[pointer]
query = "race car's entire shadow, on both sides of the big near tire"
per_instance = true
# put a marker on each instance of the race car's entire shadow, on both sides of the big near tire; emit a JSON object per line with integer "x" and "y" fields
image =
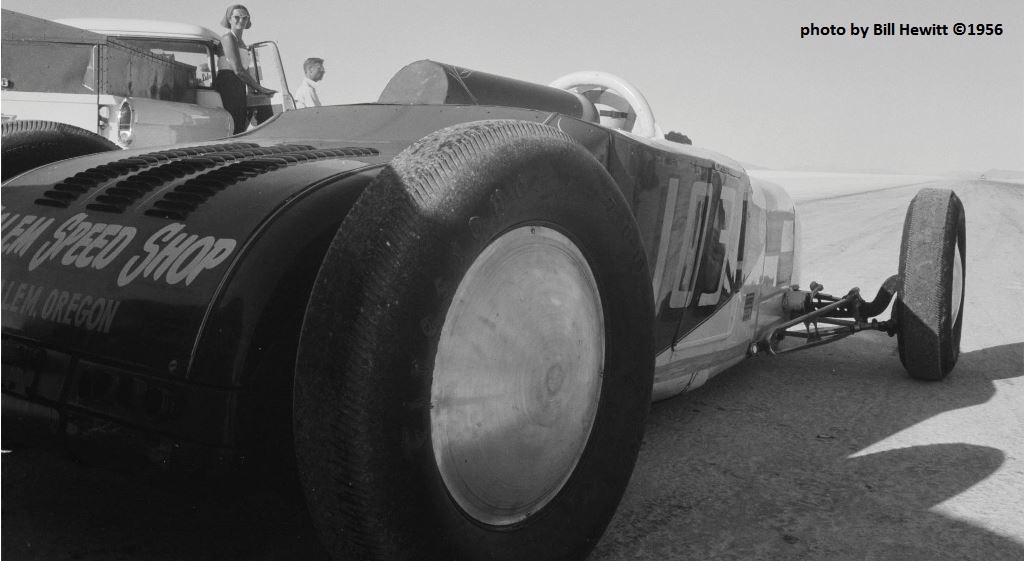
{"x": 757, "y": 465}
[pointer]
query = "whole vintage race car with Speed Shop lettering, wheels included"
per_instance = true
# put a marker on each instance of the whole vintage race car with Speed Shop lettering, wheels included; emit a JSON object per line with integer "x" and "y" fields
{"x": 457, "y": 303}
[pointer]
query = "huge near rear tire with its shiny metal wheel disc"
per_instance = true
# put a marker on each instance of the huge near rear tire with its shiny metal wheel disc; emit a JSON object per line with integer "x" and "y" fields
{"x": 477, "y": 360}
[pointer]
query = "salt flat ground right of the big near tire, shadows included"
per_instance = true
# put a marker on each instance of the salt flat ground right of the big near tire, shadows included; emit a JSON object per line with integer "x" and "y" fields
{"x": 834, "y": 453}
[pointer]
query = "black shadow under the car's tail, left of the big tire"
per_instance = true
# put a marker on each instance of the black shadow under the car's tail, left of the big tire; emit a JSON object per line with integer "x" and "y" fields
{"x": 59, "y": 506}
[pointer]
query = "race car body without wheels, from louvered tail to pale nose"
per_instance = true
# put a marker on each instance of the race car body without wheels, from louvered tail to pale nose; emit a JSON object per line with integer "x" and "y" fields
{"x": 153, "y": 288}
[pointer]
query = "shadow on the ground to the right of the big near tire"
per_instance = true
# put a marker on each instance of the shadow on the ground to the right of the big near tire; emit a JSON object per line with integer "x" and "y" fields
{"x": 762, "y": 463}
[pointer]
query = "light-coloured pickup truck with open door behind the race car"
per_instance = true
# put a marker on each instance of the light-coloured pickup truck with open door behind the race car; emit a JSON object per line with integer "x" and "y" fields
{"x": 79, "y": 87}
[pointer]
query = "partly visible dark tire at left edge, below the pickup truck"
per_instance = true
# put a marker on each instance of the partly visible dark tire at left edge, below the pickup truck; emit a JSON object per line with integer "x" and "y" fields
{"x": 29, "y": 145}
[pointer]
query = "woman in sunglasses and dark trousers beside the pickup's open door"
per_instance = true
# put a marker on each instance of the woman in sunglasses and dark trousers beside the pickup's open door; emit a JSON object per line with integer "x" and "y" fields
{"x": 236, "y": 68}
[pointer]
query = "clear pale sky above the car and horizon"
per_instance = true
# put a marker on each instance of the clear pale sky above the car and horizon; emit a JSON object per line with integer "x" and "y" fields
{"x": 734, "y": 75}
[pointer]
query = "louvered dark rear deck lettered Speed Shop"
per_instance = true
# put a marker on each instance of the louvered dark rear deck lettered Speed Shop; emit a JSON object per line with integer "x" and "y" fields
{"x": 121, "y": 255}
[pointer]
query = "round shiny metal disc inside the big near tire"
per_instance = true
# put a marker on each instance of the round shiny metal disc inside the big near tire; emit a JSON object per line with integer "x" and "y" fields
{"x": 518, "y": 376}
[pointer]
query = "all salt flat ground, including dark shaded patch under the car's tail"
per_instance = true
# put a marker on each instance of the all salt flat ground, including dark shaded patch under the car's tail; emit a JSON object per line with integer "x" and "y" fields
{"x": 833, "y": 454}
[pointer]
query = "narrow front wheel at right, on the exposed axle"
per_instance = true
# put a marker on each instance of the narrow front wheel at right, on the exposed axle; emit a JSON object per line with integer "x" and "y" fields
{"x": 929, "y": 307}
